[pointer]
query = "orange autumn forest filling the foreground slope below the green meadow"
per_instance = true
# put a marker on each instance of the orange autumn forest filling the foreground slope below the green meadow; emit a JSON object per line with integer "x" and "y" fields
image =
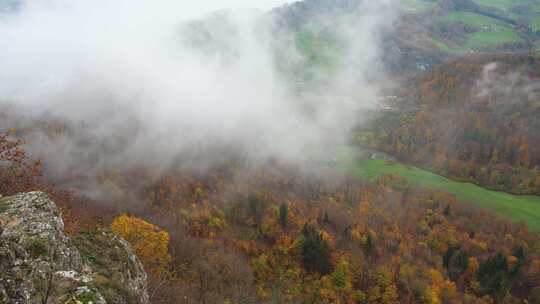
{"x": 275, "y": 233}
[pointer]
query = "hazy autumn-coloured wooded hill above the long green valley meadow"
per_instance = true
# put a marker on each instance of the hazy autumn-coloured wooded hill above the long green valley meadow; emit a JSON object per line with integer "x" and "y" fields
{"x": 475, "y": 119}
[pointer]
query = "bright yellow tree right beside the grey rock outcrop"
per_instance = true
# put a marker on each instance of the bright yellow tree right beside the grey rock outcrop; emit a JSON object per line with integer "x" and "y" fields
{"x": 149, "y": 242}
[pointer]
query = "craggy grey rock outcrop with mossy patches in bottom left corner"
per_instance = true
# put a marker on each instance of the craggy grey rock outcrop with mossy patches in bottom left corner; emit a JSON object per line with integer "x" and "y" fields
{"x": 40, "y": 264}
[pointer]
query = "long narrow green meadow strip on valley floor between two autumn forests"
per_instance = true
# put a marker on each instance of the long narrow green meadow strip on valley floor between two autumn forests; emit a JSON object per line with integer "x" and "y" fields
{"x": 514, "y": 207}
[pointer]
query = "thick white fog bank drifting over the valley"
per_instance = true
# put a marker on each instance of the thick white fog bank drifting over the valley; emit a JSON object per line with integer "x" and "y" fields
{"x": 125, "y": 67}
